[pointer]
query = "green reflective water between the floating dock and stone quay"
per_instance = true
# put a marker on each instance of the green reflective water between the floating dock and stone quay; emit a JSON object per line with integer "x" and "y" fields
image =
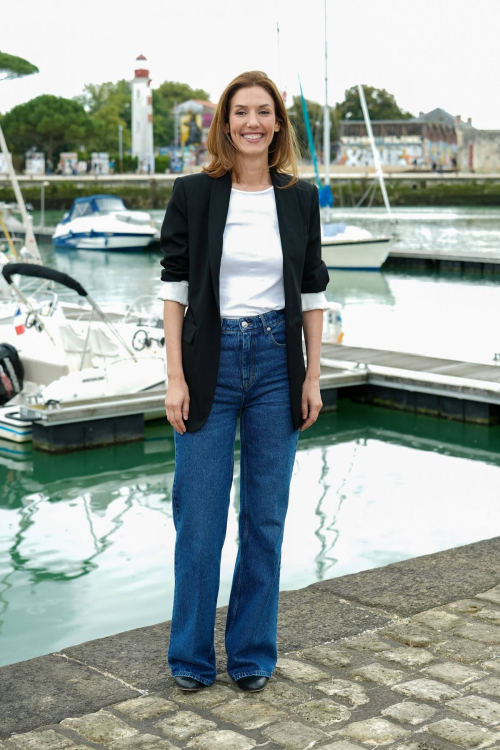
{"x": 86, "y": 540}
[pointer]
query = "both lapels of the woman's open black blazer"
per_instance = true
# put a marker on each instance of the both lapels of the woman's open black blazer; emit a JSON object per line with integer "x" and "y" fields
{"x": 289, "y": 221}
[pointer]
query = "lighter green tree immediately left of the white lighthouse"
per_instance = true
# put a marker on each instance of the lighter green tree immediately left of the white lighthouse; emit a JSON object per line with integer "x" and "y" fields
{"x": 109, "y": 106}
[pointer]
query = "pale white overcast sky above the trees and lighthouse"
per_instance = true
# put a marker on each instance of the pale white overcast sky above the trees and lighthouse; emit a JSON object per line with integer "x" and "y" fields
{"x": 430, "y": 53}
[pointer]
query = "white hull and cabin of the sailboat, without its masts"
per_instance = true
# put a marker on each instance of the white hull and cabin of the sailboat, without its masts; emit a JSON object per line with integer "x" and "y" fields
{"x": 352, "y": 248}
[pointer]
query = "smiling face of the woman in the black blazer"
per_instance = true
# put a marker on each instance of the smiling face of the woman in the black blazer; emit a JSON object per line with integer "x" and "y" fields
{"x": 252, "y": 120}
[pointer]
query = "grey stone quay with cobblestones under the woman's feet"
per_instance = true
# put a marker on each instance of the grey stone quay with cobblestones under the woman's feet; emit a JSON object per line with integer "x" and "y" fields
{"x": 405, "y": 656}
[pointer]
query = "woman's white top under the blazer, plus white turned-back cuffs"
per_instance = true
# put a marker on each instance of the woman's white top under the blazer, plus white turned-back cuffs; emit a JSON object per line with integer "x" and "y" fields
{"x": 251, "y": 269}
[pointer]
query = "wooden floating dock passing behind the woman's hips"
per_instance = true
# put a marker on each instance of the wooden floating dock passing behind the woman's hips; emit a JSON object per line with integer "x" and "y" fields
{"x": 451, "y": 389}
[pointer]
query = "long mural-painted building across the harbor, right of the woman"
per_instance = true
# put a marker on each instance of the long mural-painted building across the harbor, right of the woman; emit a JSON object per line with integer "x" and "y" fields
{"x": 428, "y": 141}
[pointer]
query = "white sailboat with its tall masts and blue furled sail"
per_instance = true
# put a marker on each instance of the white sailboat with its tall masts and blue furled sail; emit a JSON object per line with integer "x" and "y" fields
{"x": 345, "y": 246}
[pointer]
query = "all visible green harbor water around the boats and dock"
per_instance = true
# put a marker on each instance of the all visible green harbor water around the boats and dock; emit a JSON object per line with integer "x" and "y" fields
{"x": 87, "y": 539}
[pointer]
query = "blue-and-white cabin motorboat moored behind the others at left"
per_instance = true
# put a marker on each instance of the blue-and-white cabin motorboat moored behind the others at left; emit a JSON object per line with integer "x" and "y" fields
{"x": 103, "y": 222}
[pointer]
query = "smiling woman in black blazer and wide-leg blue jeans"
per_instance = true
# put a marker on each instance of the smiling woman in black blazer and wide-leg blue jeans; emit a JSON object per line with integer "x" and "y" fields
{"x": 242, "y": 249}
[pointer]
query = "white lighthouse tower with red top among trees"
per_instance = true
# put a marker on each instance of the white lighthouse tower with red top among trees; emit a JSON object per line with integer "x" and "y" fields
{"x": 142, "y": 117}
